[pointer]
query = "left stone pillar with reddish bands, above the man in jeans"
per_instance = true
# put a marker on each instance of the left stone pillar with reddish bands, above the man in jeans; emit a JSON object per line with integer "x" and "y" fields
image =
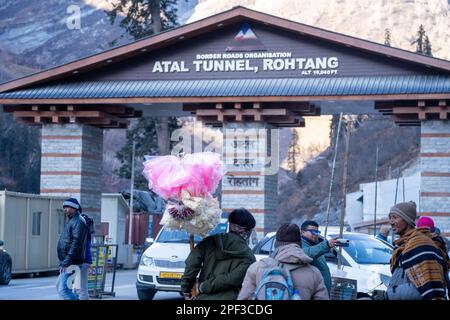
{"x": 71, "y": 165}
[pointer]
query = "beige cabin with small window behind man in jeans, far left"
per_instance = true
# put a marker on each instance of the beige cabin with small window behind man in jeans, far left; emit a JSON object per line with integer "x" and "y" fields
{"x": 30, "y": 226}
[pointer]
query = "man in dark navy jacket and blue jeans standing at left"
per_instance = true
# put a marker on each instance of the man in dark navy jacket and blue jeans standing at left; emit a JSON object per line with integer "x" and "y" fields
{"x": 71, "y": 247}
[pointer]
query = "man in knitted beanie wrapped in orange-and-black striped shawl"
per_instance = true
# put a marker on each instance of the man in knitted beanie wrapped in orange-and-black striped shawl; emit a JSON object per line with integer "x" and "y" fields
{"x": 418, "y": 264}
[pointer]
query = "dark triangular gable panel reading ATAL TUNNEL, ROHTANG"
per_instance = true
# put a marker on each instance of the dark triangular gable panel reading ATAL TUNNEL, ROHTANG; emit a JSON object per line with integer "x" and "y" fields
{"x": 252, "y": 50}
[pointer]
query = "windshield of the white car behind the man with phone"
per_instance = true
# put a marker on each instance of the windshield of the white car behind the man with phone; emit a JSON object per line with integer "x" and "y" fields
{"x": 366, "y": 250}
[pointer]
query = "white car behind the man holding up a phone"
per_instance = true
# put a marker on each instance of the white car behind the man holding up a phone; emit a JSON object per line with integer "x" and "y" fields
{"x": 365, "y": 260}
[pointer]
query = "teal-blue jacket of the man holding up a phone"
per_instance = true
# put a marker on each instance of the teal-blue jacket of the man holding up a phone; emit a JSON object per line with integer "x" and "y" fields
{"x": 317, "y": 253}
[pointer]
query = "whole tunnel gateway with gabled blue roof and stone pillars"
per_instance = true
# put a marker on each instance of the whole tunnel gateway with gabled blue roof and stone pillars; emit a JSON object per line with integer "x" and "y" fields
{"x": 248, "y": 73}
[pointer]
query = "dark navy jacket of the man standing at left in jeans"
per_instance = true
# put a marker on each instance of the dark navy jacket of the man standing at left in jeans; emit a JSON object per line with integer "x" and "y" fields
{"x": 72, "y": 242}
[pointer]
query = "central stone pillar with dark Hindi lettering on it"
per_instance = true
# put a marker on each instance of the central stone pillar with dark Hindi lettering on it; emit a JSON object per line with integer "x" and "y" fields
{"x": 251, "y": 181}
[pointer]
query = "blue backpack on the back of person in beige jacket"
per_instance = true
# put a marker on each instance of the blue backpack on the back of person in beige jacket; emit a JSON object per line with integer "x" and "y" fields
{"x": 275, "y": 284}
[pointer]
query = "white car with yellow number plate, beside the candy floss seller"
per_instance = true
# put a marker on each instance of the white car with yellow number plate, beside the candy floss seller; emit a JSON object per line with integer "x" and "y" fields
{"x": 162, "y": 264}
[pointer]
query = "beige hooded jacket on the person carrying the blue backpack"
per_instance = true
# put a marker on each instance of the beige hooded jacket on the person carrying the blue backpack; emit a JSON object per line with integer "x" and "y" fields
{"x": 306, "y": 278}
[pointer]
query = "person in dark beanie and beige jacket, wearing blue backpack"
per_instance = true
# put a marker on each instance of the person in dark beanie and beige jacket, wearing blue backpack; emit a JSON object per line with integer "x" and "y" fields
{"x": 288, "y": 254}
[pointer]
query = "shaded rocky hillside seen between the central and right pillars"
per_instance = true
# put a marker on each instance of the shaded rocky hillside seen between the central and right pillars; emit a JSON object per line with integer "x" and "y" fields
{"x": 307, "y": 194}
